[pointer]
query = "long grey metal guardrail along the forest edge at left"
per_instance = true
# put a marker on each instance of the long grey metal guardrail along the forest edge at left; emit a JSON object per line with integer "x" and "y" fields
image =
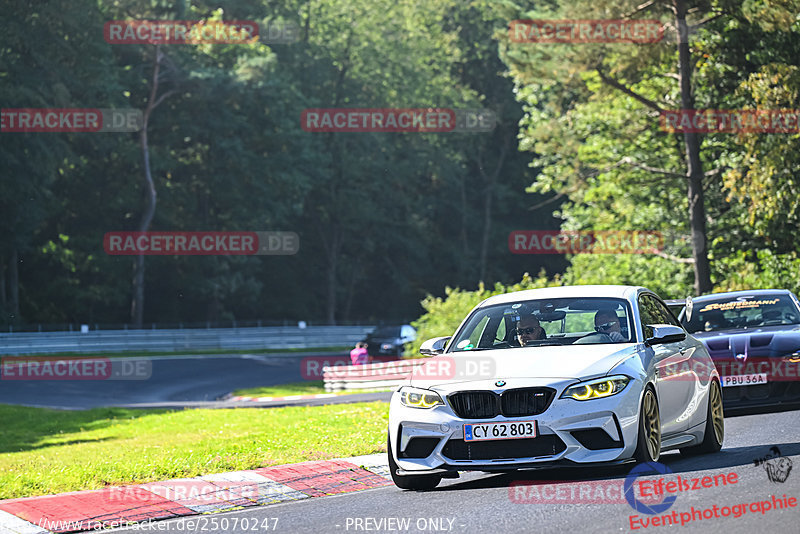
{"x": 286, "y": 337}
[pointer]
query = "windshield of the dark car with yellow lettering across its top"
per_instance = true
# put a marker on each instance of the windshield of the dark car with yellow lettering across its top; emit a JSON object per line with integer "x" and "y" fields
{"x": 741, "y": 312}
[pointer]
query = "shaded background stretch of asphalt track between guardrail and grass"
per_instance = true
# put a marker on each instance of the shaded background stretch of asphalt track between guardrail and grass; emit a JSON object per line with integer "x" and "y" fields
{"x": 175, "y": 381}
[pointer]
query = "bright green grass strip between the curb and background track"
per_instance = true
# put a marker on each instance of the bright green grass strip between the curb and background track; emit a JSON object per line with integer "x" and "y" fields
{"x": 46, "y": 451}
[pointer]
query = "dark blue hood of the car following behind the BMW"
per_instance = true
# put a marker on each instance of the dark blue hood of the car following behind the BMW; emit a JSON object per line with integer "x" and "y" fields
{"x": 762, "y": 342}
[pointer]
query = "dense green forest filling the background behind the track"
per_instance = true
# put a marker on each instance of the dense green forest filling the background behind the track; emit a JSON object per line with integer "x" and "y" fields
{"x": 386, "y": 218}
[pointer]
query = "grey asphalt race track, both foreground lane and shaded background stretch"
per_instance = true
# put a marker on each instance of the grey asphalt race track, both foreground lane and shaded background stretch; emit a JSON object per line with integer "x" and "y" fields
{"x": 477, "y": 502}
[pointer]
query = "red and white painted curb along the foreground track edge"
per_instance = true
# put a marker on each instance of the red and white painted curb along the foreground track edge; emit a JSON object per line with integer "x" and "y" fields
{"x": 118, "y": 506}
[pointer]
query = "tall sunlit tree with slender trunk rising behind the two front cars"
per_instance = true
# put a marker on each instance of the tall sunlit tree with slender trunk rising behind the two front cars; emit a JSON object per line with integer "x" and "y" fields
{"x": 566, "y": 86}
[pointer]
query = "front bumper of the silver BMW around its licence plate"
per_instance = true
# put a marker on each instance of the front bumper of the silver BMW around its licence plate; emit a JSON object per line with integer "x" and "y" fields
{"x": 570, "y": 432}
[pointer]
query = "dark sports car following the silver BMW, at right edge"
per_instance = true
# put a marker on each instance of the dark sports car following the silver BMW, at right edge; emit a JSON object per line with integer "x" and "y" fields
{"x": 754, "y": 339}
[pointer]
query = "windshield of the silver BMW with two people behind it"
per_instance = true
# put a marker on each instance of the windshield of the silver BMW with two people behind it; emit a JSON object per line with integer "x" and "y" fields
{"x": 534, "y": 323}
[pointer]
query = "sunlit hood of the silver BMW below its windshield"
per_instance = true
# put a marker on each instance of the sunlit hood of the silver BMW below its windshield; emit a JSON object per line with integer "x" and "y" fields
{"x": 558, "y": 363}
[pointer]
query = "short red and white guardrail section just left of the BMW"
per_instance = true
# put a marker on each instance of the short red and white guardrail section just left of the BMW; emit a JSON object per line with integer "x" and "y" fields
{"x": 369, "y": 376}
